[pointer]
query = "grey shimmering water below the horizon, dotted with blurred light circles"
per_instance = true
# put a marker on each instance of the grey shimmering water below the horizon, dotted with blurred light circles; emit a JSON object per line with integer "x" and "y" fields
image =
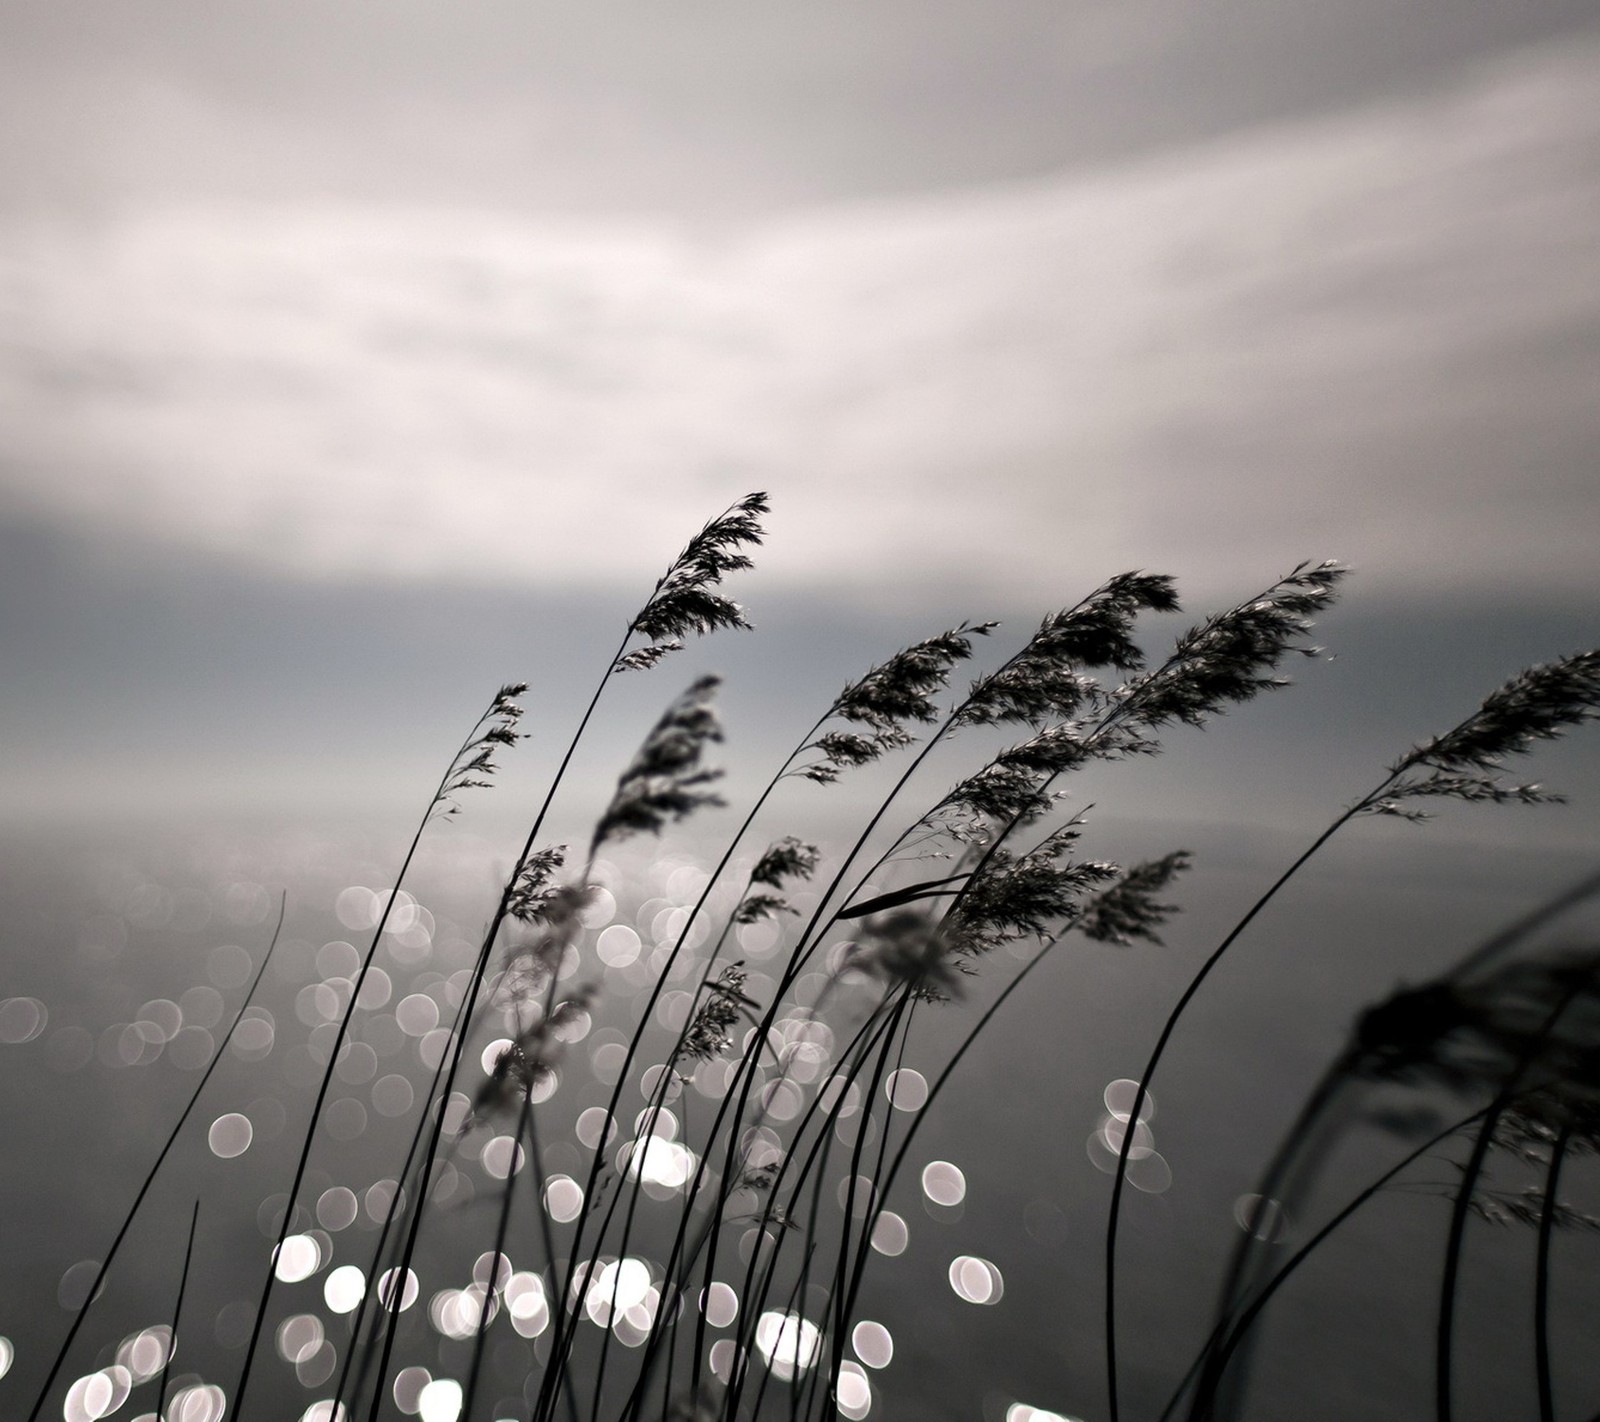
{"x": 127, "y": 954}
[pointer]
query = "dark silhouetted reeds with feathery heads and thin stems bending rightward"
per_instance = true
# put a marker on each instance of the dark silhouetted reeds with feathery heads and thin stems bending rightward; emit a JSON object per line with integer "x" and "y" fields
{"x": 718, "y": 1274}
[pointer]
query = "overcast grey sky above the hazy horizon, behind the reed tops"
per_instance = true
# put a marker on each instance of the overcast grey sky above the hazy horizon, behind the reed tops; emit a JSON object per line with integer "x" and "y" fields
{"x": 354, "y": 354}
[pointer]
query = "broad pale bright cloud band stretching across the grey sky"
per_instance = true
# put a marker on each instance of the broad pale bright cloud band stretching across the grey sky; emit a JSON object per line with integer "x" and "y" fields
{"x": 1370, "y": 337}
